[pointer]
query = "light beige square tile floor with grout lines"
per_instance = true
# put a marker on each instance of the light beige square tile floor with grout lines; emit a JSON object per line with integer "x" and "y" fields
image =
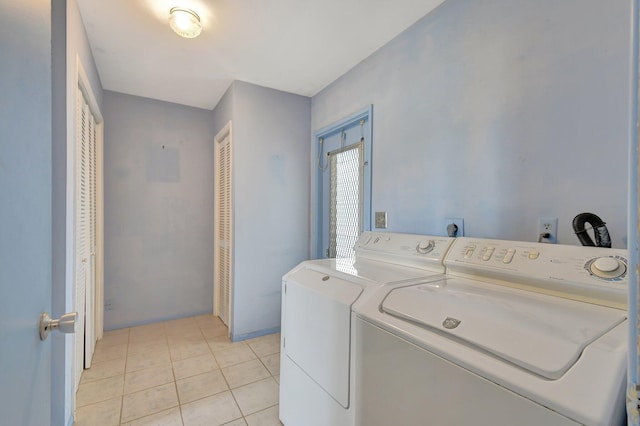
{"x": 184, "y": 372}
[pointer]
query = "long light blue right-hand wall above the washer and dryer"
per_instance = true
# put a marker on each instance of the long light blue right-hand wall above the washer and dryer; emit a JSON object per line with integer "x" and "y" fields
{"x": 498, "y": 112}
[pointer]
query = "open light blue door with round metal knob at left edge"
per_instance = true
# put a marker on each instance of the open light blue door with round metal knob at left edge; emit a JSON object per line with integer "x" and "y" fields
{"x": 25, "y": 211}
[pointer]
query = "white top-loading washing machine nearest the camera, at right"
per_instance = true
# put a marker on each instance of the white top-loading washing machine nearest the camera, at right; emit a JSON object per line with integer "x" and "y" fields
{"x": 516, "y": 333}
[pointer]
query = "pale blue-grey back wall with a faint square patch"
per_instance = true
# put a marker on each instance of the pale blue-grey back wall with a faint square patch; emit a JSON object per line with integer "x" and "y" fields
{"x": 158, "y": 200}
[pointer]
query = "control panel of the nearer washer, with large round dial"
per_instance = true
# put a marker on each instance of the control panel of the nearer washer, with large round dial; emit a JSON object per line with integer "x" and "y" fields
{"x": 594, "y": 274}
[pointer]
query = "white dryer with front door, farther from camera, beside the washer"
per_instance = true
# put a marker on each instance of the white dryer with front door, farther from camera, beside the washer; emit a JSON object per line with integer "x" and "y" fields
{"x": 317, "y": 296}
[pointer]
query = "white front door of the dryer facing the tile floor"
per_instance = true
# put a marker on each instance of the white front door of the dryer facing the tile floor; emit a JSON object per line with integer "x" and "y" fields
{"x": 317, "y": 328}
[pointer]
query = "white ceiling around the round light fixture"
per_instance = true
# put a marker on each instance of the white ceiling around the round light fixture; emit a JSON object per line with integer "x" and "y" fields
{"x": 298, "y": 46}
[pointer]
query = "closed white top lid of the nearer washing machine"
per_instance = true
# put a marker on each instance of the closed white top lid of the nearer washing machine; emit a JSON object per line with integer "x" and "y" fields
{"x": 540, "y": 333}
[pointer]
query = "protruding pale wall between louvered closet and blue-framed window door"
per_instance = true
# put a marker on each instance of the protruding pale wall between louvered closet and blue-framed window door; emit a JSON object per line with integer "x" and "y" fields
{"x": 271, "y": 137}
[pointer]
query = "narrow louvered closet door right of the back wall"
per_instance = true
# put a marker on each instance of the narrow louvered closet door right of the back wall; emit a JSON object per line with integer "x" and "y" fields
{"x": 223, "y": 264}
